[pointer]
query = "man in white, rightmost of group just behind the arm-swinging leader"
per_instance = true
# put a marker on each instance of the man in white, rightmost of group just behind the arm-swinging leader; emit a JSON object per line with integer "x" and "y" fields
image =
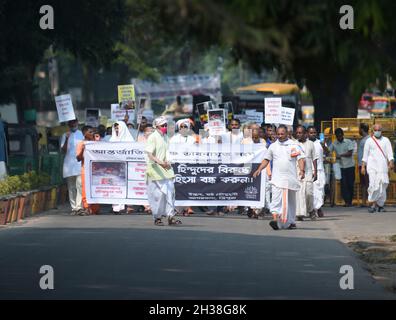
{"x": 320, "y": 183}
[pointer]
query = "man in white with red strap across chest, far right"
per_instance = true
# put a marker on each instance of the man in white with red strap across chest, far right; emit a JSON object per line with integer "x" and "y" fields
{"x": 377, "y": 161}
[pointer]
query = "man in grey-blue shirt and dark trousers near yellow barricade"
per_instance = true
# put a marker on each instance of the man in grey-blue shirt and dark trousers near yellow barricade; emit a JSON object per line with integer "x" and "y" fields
{"x": 344, "y": 155}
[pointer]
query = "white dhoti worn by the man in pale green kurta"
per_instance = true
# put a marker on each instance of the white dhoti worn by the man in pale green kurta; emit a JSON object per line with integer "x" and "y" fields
{"x": 161, "y": 197}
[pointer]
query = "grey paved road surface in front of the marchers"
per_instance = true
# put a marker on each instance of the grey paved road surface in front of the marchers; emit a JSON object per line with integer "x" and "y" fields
{"x": 231, "y": 257}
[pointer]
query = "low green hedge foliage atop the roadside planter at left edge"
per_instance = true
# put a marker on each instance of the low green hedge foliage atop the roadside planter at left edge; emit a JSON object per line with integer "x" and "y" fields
{"x": 28, "y": 181}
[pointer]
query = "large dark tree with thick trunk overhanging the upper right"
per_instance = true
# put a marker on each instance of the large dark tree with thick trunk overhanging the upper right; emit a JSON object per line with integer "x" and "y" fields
{"x": 302, "y": 39}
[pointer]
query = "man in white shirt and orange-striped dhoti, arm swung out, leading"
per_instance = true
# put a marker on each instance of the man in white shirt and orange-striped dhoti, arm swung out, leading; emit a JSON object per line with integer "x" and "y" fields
{"x": 285, "y": 154}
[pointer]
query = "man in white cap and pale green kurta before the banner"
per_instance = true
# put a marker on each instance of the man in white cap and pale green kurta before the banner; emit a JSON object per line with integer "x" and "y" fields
{"x": 160, "y": 175}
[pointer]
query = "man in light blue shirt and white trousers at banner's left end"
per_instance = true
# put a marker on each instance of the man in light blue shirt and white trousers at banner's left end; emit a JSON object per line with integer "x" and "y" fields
{"x": 72, "y": 167}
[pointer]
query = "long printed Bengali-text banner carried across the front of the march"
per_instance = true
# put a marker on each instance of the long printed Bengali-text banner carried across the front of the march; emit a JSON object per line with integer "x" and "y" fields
{"x": 208, "y": 174}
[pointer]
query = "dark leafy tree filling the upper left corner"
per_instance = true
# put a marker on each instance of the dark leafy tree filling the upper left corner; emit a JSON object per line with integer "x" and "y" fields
{"x": 88, "y": 29}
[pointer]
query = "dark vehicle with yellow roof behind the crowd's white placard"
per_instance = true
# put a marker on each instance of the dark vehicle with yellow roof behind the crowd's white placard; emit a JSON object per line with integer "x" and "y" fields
{"x": 252, "y": 97}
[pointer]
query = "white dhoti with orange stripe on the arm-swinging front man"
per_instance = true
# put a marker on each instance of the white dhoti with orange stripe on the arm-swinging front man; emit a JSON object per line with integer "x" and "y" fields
{"x": 283, "y": 205}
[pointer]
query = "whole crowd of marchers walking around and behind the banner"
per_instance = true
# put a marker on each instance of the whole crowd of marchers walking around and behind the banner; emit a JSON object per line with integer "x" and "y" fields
{"x": 293, "y": 167}
